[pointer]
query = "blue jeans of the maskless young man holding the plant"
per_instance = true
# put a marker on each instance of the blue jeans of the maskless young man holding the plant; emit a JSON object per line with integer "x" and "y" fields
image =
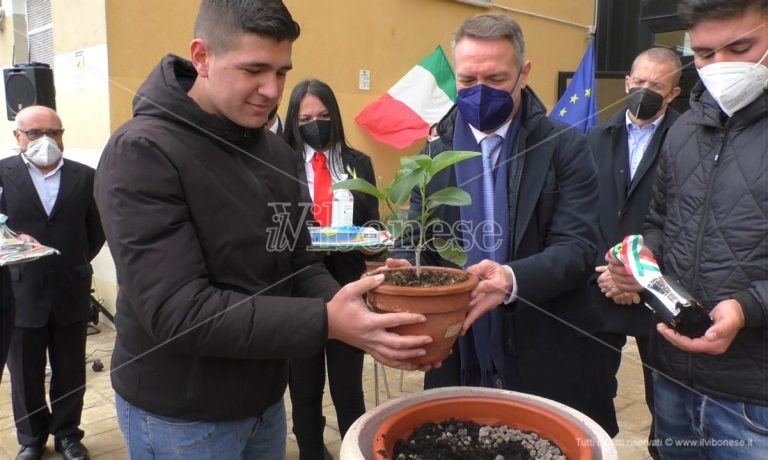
{"x": 149, "y": 436}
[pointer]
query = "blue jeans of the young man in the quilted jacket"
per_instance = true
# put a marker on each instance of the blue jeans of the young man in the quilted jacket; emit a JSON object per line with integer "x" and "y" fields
{"x": 694, "y": 426}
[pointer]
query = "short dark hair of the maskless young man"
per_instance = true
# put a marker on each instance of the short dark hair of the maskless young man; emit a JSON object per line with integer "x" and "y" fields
{"x": 219, "y": 22}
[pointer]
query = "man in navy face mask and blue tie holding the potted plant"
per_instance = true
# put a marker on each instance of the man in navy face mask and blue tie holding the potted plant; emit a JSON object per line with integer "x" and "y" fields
{"x": 529, "y": 235}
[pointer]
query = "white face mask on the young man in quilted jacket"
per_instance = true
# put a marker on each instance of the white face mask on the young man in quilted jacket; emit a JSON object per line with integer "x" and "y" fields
{"x": 734, "y": 85}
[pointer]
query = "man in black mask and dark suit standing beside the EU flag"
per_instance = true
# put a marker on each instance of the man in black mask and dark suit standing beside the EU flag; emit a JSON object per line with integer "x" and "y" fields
{"x": 626, "y": 149}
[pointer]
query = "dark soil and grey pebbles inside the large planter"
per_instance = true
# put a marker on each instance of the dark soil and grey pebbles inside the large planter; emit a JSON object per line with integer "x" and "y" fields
{"x": 456, "y": 439}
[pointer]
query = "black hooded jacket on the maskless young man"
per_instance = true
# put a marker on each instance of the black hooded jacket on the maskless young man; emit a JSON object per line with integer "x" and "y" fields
{"x": 217, "y": 289}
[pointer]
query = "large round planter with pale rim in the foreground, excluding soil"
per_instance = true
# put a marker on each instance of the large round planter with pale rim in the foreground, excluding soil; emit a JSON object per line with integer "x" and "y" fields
{"x": 373, "y": 435}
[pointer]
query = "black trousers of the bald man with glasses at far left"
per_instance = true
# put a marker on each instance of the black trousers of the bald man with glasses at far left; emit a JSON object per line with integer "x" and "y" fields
{"x": 65, "y": 346}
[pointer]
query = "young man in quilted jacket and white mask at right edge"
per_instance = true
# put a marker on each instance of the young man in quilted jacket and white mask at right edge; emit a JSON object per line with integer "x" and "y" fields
{"x": 707, "y": 228}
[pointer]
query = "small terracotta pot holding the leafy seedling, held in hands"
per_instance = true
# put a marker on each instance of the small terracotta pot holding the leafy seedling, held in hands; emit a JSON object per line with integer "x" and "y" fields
{"x": 444, "y": 307}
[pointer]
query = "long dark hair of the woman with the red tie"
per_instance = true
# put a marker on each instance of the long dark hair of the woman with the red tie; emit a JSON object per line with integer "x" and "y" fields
{"x": 292, "y": 134}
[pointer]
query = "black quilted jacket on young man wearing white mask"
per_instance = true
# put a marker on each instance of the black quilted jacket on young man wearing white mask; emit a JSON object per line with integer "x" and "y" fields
{"x": 708, "y": 225}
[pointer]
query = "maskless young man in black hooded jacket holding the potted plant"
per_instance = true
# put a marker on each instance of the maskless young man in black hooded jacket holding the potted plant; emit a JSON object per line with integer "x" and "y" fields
{"x": 215, "y": 294}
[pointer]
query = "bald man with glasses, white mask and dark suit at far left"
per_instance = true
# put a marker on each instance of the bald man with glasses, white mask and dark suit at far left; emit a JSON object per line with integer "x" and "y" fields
{"x": 51, "y": 199}
